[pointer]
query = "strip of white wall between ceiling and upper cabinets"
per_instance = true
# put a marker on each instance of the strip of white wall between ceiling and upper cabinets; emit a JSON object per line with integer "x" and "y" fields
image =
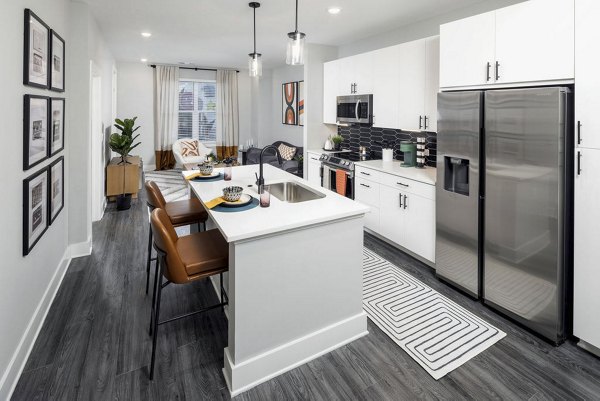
{"x": 419, "y": 29}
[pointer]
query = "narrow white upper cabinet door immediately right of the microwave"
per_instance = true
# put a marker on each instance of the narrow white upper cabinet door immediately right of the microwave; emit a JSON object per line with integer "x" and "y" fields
{"x": 386, "y": 81}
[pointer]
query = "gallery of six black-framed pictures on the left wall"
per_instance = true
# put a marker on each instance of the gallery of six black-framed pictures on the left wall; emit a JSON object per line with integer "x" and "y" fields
{"x": 43, "y": 128}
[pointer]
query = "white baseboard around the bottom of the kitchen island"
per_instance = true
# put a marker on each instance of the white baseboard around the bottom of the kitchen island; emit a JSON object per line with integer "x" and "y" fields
{"x": 263, "y": 367}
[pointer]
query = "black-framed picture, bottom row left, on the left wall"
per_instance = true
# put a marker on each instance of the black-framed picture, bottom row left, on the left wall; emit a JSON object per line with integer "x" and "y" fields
{"x": 35, "y": 209}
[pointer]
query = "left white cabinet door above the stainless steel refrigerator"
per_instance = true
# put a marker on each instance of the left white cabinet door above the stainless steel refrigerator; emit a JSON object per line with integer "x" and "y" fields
{"x": 467, "y": 51}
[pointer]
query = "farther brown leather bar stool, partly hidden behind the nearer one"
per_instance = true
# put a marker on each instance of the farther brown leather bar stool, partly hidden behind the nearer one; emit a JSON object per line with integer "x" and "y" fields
{"x": 181, "y": 213}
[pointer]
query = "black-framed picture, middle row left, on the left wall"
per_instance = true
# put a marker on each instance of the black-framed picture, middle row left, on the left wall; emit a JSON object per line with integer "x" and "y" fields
{"x": 35, "y": 130}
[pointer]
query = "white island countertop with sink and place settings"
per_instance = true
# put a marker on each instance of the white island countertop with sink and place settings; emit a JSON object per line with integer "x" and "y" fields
{"x": 279, "y": 216}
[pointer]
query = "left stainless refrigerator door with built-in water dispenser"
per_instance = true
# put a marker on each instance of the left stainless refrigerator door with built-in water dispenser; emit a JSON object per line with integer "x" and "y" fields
{"x": 457, "y": 189}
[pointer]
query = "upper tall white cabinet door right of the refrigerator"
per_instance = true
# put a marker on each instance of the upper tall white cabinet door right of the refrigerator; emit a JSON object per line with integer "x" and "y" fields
{"x": 587, "y": 79}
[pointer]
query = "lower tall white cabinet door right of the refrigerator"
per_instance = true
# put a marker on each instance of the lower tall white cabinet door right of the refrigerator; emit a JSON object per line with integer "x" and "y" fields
{"x": 586, "y": 320}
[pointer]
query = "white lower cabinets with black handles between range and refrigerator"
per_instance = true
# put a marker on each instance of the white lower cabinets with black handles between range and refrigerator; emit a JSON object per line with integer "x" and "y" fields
{"x": 402, "y": 210}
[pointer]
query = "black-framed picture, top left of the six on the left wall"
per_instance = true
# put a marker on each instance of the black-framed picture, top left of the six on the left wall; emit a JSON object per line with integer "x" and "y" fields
{"x": 35, "y": 61}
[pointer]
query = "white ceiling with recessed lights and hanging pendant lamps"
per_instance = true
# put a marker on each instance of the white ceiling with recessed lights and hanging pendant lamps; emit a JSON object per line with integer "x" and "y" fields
{"x": 218, "y": 33}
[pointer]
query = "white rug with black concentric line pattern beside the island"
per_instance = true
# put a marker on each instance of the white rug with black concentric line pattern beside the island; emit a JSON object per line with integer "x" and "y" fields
{"x": 436, "y": 332}
